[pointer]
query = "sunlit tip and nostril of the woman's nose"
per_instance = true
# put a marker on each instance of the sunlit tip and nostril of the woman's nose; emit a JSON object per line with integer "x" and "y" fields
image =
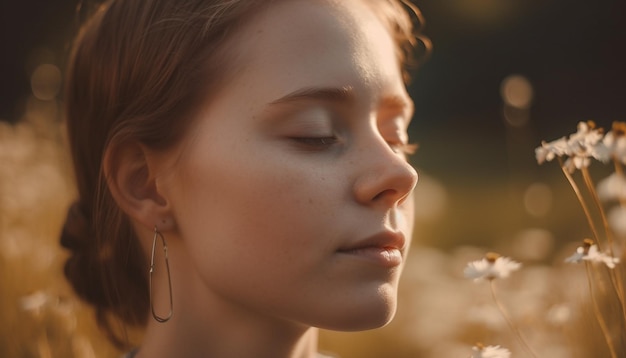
{"x": 386, "y": 179}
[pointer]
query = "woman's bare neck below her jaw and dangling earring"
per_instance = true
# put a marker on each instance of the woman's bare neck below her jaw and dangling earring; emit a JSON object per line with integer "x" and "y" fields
{"x": 207, "y": 325}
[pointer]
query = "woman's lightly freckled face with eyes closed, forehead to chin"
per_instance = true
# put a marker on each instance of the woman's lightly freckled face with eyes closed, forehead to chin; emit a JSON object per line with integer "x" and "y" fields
{"x": 292, "y": 195}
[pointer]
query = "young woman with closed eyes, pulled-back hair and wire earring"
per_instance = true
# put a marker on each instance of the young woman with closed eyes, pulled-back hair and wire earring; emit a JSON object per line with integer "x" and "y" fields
{"x": 241, "y": 171}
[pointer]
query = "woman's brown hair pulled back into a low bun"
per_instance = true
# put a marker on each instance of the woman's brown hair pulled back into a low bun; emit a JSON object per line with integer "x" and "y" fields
{"x": 139, "y": 71}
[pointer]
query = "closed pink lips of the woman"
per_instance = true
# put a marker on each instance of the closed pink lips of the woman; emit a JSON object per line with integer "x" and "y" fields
{"x": 384, "y": 249}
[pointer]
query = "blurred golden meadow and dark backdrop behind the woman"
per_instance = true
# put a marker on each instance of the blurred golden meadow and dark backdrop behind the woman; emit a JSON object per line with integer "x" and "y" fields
{"x": 503, "y": 76}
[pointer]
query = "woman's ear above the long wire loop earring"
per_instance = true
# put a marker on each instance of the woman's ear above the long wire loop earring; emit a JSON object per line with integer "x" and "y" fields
{"x": 132, "y": 179}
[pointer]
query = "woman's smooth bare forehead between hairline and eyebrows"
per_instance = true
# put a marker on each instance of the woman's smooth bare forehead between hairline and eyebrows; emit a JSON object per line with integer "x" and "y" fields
{"x": 298, "y": 43}
